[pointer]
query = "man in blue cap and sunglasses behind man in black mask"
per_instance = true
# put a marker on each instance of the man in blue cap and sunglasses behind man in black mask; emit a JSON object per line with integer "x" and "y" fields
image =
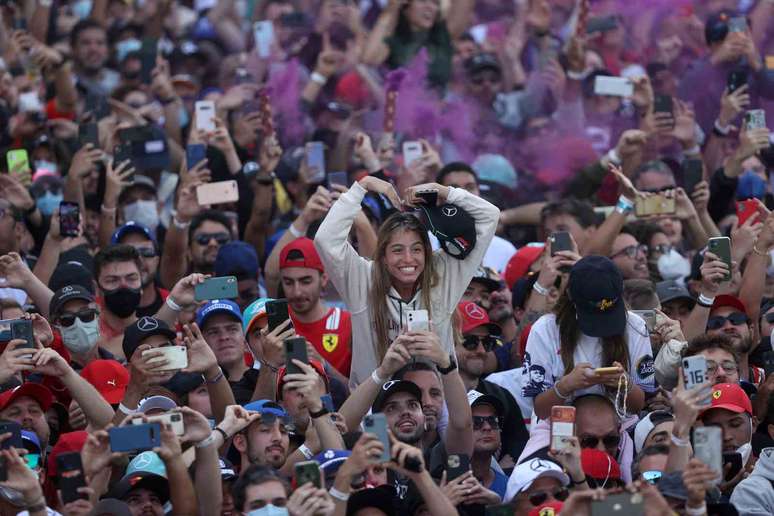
{"x": 138, "y": 236}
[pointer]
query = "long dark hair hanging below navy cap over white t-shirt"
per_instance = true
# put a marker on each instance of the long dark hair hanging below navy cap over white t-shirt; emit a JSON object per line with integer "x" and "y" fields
{"x": 614, "y": 349}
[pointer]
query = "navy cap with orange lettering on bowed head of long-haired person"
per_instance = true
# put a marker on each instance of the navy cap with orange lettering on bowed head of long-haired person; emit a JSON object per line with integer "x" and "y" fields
{"x": 596, "y": 288}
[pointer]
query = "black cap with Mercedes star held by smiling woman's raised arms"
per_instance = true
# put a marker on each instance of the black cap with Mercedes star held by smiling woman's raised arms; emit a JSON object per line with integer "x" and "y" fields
{"x": 454, "y": 228}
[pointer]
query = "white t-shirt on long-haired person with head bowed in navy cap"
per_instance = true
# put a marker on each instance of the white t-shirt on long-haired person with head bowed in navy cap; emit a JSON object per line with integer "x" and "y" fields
{"x": 543, "y": 363}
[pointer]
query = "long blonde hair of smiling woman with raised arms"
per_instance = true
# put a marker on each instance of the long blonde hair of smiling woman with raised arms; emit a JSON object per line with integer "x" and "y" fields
{"x": 381, "y": 281}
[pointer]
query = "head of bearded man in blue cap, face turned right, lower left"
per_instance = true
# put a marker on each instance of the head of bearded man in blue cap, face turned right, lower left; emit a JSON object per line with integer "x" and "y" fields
{"x": 265, "y": 441}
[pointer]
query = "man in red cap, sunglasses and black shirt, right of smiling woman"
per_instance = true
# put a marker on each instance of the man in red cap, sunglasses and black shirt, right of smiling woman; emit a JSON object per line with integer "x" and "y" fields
{"x": 480, "y": 336}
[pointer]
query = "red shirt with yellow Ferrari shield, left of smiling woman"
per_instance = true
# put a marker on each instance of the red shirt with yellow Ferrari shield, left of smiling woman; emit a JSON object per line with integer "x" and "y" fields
{"x": 331, "y": 336}
